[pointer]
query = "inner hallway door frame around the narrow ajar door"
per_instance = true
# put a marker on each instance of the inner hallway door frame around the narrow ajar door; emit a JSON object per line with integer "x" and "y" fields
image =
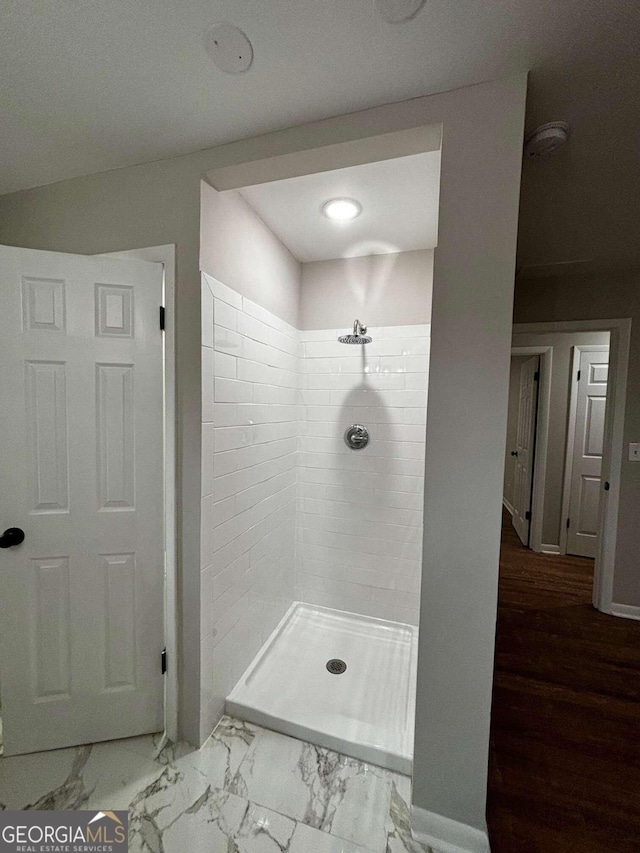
{"x": 541, "y": 441}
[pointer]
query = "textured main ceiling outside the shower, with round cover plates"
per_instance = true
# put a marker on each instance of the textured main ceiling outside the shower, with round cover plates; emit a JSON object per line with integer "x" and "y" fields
{"x": 89, "y": 85}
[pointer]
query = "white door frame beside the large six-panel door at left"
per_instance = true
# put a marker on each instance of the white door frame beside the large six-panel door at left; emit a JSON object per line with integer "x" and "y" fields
{"x": 166, "y": 255}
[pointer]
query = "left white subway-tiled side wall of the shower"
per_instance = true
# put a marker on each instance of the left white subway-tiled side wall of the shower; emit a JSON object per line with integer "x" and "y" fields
{"x": 250, "y": 363}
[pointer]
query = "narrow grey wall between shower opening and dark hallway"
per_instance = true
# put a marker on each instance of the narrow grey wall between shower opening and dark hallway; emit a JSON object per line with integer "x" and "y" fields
{"x": 466, "y": 432}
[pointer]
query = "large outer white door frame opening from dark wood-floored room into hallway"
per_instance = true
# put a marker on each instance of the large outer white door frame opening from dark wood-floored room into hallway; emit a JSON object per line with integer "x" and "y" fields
{"x": 620, "y": 332}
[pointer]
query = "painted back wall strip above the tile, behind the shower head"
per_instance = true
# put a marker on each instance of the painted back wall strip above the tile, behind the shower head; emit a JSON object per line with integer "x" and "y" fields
{"x": 381, "y": 290}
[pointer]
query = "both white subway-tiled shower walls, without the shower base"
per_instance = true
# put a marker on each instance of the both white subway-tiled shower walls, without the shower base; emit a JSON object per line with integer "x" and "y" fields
{"x": 288, "y": 511}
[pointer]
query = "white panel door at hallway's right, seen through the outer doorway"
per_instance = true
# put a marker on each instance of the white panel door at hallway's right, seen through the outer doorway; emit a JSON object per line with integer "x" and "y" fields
{"x": 586, "y": 468}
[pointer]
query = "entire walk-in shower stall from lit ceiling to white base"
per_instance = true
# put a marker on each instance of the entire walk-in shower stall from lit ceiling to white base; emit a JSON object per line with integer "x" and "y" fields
{"x": 313, "y": 443}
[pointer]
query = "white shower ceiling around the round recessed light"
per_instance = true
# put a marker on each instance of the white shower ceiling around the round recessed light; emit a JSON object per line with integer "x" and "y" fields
{"x": 399, "y": 201}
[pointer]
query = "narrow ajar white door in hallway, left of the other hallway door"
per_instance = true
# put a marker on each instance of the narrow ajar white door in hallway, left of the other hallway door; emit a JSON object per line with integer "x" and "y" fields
{"x": 524, "y": 449}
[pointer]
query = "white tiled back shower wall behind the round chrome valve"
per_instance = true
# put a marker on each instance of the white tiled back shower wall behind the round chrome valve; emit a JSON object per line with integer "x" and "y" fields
{"x": 360, "y": 512}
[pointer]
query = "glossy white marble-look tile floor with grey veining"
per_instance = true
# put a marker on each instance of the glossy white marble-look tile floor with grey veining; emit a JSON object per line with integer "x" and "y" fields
{"x": 248, "y": 790}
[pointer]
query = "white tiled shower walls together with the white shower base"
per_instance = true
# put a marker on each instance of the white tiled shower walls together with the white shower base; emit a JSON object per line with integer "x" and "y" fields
{"x": 330, "y": 569}
